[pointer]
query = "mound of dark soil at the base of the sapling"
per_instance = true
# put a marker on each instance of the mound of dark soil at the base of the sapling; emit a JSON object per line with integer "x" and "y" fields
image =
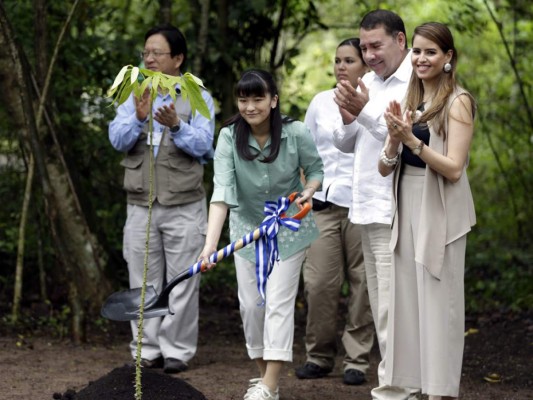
{"x": 119, "y": 385}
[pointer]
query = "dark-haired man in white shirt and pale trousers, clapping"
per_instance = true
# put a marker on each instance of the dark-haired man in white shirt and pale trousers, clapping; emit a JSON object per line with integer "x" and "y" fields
{"x": 363, "y": 132}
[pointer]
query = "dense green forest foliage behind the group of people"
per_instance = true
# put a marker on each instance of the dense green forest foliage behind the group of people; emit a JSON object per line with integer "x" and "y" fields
{"x": 107, "y": 34}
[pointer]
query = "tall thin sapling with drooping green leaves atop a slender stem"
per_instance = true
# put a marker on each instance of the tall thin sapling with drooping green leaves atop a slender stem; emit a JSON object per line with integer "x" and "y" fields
{"x": 137, "y": 80}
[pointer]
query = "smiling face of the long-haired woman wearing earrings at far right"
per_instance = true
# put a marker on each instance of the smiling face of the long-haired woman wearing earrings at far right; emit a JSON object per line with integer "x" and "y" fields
{"x": 428, "y": 59}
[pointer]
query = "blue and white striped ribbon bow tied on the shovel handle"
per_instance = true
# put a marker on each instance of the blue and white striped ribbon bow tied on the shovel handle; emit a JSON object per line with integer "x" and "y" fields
{"x": 266, "y": 247}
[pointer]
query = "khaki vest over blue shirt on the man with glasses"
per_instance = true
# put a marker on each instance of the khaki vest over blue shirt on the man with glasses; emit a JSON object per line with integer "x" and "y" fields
{"x": 177, "y": 176}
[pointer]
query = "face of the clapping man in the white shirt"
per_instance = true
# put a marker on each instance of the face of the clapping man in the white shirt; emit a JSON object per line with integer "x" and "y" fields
{"x": 382, "y": 52}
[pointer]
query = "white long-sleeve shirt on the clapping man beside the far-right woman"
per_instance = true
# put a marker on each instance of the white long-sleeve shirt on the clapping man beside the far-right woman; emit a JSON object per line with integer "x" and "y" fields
{"x": 371, "y": 192}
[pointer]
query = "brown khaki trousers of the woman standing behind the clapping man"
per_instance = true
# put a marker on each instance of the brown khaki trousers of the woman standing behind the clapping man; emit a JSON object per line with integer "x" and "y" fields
{"x": 334, "y": 258}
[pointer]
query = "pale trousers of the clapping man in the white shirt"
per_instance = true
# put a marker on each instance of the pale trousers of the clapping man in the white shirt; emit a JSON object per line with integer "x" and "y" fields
{"x": 375, "y": 240}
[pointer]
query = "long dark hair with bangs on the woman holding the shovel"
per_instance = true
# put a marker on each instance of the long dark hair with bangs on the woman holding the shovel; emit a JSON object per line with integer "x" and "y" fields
{"x": 257, "y": 82}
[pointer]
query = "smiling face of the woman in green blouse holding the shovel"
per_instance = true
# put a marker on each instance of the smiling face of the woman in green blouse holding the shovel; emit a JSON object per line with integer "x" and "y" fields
{"x": 256, "y": 111}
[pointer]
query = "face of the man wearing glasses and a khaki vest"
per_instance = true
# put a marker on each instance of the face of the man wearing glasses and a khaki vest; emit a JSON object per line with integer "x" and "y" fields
{"x": 158, "y": 58}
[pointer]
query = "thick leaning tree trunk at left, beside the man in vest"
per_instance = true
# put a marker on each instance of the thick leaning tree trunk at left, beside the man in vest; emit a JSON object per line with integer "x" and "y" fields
{"x": 81, "y": 260}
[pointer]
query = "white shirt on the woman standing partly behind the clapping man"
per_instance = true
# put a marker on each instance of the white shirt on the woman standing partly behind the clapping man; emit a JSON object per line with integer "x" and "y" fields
{"x": 321, "y": 118}
